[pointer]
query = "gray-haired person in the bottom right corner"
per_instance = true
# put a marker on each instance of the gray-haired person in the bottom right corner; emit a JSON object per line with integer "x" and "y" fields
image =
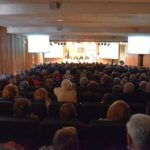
{"x": 138, "y": 132}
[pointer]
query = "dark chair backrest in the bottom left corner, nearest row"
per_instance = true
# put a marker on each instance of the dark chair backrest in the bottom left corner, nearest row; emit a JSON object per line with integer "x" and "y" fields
{"x": 23, "y": 131}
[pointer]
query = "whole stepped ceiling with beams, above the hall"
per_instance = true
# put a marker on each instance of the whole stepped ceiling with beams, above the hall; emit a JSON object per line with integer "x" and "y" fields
{"x": 77, "y": 20}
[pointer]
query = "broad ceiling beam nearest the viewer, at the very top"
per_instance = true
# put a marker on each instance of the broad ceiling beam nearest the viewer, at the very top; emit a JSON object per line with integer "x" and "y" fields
{"x": 78, "y": 7}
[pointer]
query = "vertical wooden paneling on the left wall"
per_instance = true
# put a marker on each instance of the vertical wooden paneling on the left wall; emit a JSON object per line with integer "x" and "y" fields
{"x": 13, "y": 53}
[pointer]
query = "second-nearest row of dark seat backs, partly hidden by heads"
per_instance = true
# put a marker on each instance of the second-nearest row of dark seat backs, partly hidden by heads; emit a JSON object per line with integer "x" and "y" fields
{"x": 86, "y": 111}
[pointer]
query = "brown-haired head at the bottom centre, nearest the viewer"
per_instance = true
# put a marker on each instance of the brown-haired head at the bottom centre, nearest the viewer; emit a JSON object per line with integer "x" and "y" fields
{"x": 65, "y": 139}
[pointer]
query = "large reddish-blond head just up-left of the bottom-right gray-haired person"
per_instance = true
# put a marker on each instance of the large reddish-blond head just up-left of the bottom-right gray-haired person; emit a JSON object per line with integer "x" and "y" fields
{"x": 118, "y": 111}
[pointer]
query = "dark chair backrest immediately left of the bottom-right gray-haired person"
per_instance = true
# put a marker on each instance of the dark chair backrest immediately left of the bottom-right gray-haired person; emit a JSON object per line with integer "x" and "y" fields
{"x": 105, "y": 134}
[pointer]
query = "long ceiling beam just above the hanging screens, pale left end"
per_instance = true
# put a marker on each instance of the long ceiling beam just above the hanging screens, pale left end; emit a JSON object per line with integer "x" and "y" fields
{"x": 81, "y": 30}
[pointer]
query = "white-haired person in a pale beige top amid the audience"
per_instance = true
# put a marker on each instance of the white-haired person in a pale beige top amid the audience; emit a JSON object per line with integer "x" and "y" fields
{"x": 66, "y": 93}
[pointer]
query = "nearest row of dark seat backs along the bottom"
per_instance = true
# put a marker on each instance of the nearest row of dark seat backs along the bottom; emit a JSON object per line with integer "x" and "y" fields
{"x": 104, "y": 135}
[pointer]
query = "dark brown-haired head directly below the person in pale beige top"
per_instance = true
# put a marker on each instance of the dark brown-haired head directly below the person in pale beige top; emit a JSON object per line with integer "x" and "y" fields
{"x": 67, "y": 112}
